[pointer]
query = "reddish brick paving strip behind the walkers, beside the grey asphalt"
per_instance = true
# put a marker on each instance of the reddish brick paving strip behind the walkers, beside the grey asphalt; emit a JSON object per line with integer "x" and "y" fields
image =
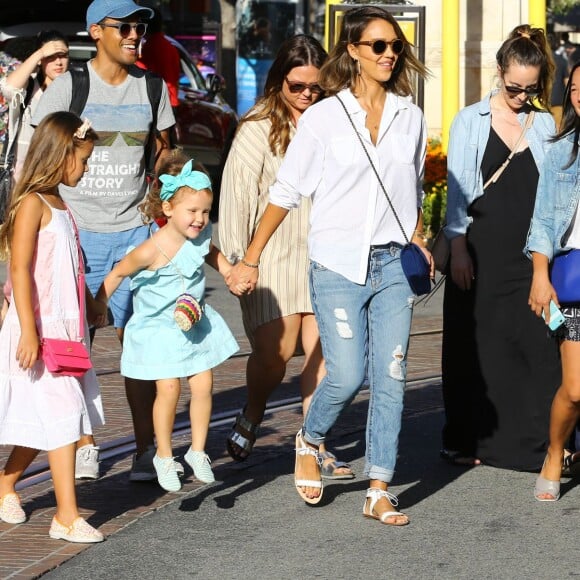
{"x": 113, "y": 503}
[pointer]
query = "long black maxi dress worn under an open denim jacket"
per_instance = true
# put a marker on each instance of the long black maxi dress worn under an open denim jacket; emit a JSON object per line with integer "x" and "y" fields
{"x": 501, "y": 368}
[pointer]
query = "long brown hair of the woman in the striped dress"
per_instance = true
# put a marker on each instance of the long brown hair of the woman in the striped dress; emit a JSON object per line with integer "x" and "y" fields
{"x": 298, "y": 50}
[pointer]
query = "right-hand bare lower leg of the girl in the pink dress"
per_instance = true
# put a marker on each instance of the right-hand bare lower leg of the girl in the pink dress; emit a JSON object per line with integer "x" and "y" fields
{"x": 62, "y": 469}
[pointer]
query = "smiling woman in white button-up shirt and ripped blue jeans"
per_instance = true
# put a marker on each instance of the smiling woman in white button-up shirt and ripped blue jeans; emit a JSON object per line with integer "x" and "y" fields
{"x": 361, "y": 298}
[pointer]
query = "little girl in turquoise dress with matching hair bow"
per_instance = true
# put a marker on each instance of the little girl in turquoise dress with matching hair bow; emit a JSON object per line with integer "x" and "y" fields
{"x": 164, "y": 342}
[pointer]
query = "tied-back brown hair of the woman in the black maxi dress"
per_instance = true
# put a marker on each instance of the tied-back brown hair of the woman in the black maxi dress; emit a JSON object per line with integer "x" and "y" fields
{"x": 529, "y": 46}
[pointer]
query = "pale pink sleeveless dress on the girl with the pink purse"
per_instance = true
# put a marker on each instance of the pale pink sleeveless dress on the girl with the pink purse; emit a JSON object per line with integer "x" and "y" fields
{"x": 37, "y": 409}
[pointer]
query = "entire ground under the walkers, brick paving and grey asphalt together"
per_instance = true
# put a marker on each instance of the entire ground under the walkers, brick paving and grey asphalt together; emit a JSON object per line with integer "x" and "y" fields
{"x": 481, "y": 523}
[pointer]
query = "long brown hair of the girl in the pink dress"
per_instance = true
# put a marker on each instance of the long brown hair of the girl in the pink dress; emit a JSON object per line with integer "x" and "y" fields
{"x": 52, "y": 145}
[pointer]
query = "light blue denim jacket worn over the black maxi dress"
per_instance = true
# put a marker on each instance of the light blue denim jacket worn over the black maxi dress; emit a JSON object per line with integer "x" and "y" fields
{"x": 468, "y": 139}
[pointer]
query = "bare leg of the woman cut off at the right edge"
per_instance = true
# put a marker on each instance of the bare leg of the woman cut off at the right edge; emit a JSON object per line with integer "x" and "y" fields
{"x": 565, "y": 411}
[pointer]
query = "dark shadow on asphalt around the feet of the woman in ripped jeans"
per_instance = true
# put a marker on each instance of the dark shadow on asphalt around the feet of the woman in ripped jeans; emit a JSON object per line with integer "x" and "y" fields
{"x": 420, "y": 471}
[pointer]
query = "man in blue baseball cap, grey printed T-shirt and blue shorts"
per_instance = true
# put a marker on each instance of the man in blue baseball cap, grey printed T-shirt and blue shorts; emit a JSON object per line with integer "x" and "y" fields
{"x": 106, "y": 201}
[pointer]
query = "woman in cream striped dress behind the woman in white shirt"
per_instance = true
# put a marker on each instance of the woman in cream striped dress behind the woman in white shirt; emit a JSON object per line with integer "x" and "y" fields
{"x": 278, "y": 315}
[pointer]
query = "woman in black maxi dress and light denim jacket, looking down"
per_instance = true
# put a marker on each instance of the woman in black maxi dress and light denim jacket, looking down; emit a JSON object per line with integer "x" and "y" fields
{"x": 500, "y": 370}
